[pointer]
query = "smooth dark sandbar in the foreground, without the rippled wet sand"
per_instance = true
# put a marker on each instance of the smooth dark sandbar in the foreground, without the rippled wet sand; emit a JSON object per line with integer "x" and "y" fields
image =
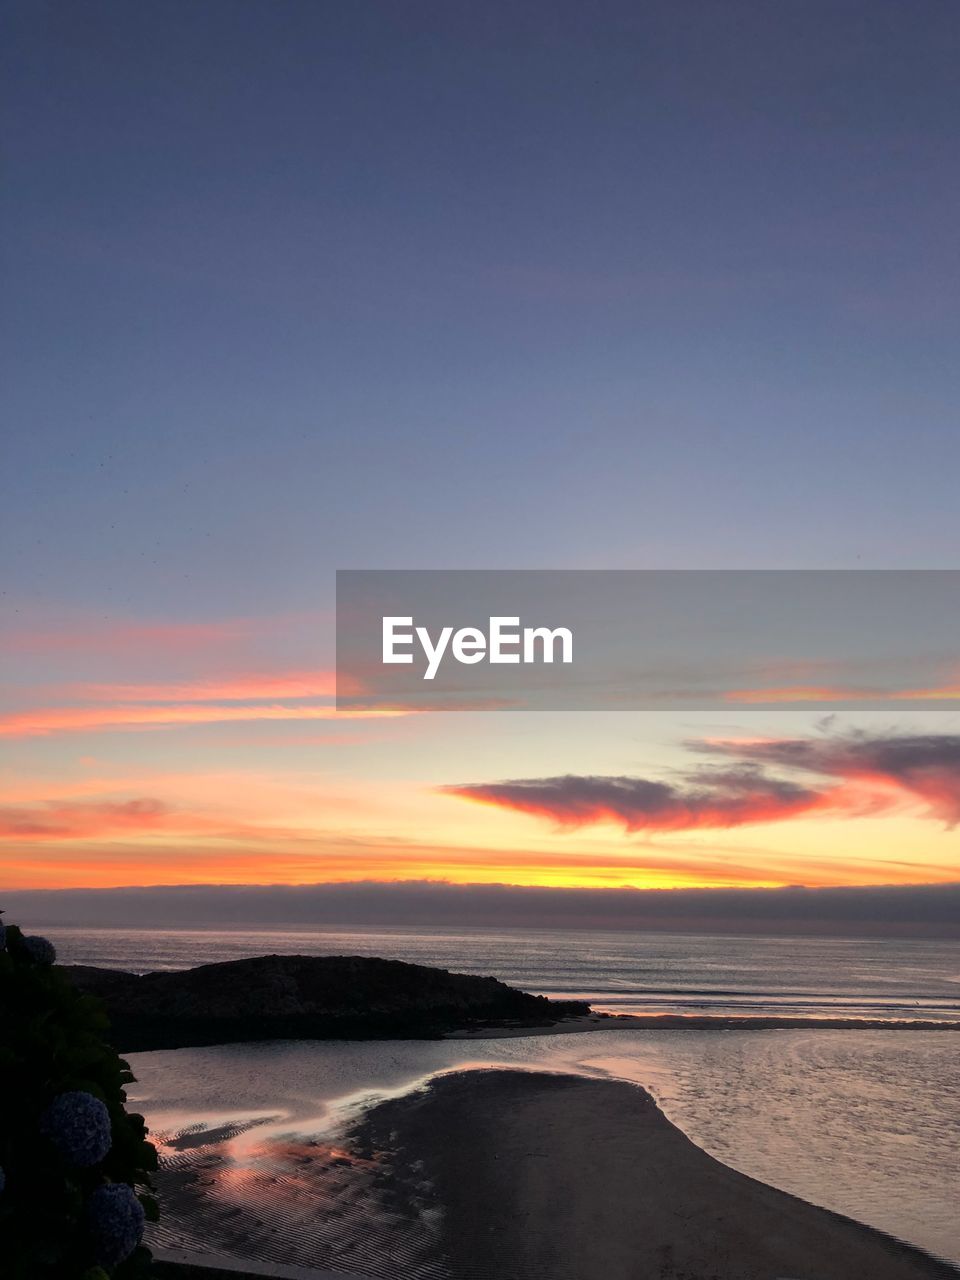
{"x": 532, "y": 1174}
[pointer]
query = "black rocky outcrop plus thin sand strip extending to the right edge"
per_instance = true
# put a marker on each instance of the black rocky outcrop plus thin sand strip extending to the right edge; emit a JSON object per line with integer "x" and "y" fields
{"x": 292, "y": 998}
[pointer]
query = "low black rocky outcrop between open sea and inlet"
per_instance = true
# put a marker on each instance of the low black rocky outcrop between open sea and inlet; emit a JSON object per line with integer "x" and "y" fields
{"x": 307, "y": 998}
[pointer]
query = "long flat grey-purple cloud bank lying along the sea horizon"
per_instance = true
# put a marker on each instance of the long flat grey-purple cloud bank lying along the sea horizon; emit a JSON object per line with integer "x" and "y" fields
{"x": 924, "y": 911}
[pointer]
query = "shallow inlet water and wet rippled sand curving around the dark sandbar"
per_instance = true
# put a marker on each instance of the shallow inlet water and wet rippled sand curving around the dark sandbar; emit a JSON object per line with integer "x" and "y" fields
{"x": 865, "y": 1123}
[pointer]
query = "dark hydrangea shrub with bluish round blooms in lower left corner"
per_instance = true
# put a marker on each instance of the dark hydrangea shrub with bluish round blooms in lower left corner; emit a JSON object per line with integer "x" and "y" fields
{"x": 75, "y": 1164}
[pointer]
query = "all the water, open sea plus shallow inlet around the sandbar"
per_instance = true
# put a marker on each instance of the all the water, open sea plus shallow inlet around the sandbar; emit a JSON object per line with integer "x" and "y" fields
{"x": 862, "y": 1122}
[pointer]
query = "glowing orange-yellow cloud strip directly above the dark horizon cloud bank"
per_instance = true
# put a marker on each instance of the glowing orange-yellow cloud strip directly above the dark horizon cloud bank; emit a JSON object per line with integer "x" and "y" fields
{"x": 273, "y": 857}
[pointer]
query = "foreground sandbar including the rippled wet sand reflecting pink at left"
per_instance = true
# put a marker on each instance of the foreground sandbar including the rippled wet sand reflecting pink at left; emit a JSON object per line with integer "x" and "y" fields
{"x": 492, "y": 1173}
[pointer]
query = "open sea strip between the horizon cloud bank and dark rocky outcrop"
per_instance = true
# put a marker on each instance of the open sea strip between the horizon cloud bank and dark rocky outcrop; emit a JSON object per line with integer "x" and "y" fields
{"x": 665, "y": 973}
